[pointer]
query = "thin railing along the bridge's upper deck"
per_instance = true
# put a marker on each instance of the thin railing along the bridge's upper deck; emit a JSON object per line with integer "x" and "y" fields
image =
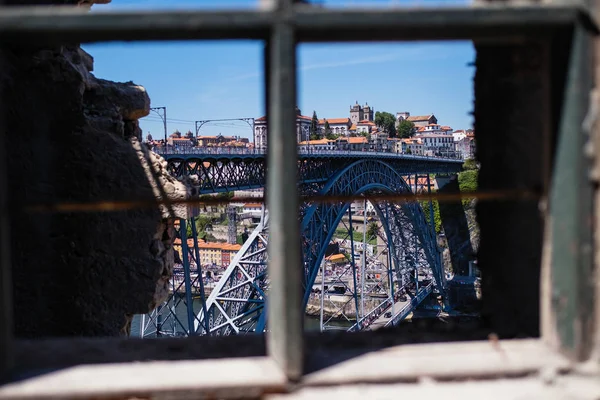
{"x": 226, "y": 151}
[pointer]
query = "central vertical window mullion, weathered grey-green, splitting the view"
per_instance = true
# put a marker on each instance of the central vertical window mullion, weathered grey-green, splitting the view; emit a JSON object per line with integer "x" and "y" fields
{"x": 284, "y": 303}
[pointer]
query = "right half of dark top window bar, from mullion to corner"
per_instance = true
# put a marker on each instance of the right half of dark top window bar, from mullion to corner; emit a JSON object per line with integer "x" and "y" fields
{"x": 481, "y": 22}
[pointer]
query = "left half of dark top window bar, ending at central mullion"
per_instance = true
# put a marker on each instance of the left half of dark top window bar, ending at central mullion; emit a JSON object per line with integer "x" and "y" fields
{"x": 70, "y": 24}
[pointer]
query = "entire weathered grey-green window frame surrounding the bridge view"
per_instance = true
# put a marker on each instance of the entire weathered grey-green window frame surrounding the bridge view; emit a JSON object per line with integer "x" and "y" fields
{"x": 282, "y": 25}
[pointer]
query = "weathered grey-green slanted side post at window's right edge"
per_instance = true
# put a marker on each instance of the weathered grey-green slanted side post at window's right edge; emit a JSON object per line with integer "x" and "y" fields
{"x": 568, "y": 302}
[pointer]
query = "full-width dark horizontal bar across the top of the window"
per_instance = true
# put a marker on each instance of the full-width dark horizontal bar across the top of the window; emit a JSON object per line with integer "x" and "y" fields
{"x": 21, "y": 24}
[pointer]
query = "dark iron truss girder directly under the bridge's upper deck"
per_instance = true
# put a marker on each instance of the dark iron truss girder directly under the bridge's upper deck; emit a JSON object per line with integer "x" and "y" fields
{"x": 214, "y": 173}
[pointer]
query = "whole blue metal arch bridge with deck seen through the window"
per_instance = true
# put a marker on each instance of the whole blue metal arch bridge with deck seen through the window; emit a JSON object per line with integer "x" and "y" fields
{"x": 375, "y": 293}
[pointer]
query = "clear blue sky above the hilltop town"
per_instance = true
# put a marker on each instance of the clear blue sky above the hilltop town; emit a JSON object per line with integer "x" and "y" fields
{"x": 214, "y": 80}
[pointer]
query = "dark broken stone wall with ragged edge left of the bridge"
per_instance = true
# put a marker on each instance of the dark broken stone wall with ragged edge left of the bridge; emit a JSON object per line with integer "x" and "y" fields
{"x": 73, "y": 138}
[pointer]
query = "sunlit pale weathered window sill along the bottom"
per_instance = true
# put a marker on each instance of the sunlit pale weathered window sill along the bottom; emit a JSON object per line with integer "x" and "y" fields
{"x": 258, "y": 376}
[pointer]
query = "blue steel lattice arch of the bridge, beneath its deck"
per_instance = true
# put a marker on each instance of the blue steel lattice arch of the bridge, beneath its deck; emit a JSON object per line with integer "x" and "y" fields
{"x": 238, "y": 302}
